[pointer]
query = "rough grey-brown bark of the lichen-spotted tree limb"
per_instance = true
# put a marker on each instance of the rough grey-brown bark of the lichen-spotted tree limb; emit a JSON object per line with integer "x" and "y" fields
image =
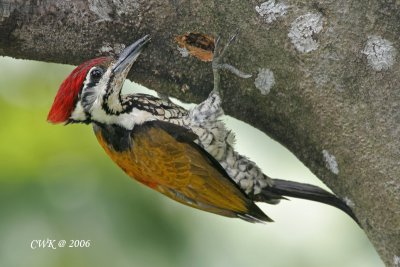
{"x": 334, "y": 101}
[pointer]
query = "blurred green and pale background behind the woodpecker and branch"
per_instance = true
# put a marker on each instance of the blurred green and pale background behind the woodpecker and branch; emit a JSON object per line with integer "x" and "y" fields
{"x": 56, "y": 182}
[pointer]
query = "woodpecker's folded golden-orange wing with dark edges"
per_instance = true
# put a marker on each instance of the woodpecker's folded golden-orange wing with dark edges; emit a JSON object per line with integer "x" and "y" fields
{"x": 164, "y": 156}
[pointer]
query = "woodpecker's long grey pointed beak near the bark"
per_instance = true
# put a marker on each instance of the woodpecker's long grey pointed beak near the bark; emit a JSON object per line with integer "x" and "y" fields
{"x": 128, "y": 56}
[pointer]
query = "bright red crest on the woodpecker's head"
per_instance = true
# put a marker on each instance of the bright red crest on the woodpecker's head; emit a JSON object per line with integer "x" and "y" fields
{"x": 67, "y": 95}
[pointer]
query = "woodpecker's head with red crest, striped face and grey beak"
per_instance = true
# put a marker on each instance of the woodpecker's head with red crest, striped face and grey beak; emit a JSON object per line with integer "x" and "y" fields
{"x": 94, "y": 86}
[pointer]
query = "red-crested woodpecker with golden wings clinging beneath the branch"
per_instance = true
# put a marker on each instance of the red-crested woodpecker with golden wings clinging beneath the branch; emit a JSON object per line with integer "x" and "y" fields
{"x": 187, "y": 155}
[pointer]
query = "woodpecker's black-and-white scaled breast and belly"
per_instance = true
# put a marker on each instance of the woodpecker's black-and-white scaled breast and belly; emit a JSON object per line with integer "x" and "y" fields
{"x": 204, "y": 121}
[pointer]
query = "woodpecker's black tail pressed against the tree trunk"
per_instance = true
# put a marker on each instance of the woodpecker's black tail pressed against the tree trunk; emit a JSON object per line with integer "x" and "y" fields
{"x": 304, "y": 191}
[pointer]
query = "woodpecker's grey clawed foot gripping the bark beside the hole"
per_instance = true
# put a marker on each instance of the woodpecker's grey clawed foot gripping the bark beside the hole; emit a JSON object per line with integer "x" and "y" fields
{"x": 217, "y": 65}
